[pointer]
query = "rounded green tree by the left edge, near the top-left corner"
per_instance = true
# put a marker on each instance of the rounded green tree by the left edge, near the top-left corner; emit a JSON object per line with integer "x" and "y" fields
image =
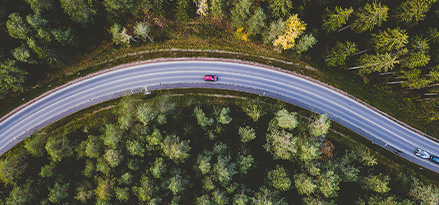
{"x": 17, "y": 28}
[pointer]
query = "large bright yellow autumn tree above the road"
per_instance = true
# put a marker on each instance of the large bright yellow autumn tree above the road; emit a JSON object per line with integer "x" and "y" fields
{"x": 294, "y": 27}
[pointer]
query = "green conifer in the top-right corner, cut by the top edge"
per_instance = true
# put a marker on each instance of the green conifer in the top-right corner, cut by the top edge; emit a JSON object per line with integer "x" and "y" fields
{"x": 411, "y": 12}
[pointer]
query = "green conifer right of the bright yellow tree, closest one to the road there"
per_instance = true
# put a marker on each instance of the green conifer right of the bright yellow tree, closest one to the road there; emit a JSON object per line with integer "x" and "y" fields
{"x": 341, "y": 52}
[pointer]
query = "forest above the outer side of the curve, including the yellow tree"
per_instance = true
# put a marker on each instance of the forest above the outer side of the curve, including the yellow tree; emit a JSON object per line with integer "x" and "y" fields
{"x": 389, "y": 46}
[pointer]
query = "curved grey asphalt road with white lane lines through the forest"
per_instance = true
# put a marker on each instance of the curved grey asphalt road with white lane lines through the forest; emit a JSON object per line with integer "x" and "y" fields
{"x": 233, "y": 75}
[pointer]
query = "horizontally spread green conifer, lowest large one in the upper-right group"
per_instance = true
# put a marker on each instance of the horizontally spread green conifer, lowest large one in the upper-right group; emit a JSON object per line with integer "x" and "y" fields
{"x": 377, "y": 63}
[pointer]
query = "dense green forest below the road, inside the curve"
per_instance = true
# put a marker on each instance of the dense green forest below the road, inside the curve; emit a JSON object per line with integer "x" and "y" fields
{"x": 200, "y": 150}
